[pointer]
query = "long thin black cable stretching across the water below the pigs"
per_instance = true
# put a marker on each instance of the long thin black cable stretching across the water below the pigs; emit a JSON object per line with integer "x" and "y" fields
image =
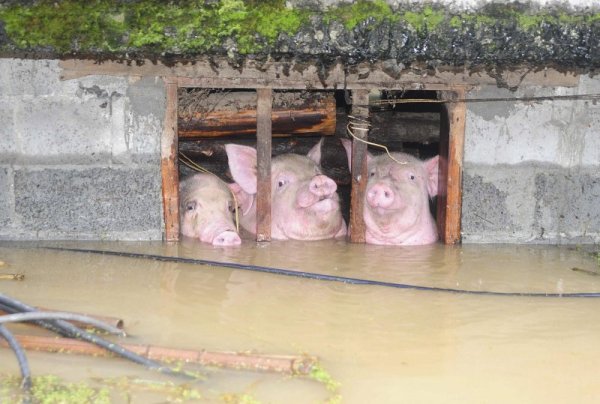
{"x": 317, "y": 276}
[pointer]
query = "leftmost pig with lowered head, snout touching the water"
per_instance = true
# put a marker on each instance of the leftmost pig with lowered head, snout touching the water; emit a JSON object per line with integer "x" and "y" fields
{"x": 207, "y": 209}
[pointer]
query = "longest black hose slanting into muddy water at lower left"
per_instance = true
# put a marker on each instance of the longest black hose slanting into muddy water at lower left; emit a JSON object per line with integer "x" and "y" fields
{"x": 69, "y": 330}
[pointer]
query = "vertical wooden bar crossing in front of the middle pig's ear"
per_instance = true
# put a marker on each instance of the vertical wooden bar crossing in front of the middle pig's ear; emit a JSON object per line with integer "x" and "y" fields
{"x": 264, "y": 108}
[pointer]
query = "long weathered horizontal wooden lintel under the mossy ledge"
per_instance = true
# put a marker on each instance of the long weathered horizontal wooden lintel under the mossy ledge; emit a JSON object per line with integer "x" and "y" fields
{"x": 221, "y": 73}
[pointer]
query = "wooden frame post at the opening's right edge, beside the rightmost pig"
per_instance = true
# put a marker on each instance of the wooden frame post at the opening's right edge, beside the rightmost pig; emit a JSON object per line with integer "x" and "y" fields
{"x": 449, "y": 206}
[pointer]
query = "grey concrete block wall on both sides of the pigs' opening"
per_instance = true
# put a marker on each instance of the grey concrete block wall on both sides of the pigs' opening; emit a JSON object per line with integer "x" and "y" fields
{"x": 80, "y": 159}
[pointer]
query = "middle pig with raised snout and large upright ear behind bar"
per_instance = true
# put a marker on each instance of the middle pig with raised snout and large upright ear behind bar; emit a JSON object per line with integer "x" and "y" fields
{"x": 304, "y": 202}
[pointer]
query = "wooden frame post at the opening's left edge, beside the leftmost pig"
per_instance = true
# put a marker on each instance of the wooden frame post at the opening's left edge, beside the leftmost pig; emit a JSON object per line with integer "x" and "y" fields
{"x": 169, "y": 168}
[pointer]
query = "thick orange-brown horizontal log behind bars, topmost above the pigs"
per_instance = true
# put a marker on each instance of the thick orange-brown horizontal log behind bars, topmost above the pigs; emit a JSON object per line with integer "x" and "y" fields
{"x": 234, "y": 113}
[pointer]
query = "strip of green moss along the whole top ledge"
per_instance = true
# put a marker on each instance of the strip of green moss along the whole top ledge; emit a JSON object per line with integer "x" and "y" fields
{"x": 196, "y": 27}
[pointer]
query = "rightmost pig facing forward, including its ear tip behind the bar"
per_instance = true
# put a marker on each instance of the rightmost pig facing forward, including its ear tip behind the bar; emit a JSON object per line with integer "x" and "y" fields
{"x": 396, "y": 202}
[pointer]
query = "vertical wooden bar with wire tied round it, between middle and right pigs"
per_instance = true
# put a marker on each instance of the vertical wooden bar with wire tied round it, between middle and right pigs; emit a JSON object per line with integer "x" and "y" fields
{"x": 360, "y": 111}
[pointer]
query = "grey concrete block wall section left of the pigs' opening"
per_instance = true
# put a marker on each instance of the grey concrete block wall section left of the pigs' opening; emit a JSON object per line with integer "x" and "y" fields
{"x": 79, "y": 159}
